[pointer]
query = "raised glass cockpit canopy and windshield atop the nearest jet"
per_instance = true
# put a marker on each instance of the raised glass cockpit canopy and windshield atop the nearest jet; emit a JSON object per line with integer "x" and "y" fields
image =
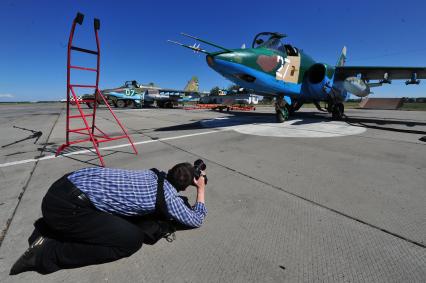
{"x": 272, "y": 40}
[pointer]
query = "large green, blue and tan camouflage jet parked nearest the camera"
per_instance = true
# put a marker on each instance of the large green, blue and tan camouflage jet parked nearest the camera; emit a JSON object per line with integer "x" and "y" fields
{"x": 272, "y": 67}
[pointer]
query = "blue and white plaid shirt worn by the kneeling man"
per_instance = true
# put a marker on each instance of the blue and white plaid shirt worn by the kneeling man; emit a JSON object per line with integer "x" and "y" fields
{"x": 132, "y": 193}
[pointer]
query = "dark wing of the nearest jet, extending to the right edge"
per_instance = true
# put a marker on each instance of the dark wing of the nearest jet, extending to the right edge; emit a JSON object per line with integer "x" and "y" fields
{"x": 380, "y": 73}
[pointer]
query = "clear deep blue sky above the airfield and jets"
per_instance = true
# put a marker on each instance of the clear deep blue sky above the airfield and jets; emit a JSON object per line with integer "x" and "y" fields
{"x": 133, "y": 35}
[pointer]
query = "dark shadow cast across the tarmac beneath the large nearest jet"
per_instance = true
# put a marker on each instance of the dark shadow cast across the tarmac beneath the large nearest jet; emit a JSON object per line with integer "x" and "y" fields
{"x": 303, "y": 118}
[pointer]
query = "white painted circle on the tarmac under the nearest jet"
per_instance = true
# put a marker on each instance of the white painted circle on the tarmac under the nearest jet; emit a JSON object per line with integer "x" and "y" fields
{"x": 297, "y": 128}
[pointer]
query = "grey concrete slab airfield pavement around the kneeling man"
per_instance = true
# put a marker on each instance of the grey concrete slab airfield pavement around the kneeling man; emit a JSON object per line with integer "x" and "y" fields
{"x": 309, "y": 200}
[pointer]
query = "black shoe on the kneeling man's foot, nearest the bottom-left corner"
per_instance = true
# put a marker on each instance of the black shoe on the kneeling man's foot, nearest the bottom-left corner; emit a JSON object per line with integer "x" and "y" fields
{"x": 27, "y": 262}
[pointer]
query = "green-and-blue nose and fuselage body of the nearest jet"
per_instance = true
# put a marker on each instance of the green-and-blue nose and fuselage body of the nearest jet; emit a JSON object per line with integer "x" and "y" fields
{"x": 270, "y": 72}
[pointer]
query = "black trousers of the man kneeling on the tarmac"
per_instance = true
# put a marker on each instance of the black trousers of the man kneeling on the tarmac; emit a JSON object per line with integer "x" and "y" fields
{"x": 79, "y": 234}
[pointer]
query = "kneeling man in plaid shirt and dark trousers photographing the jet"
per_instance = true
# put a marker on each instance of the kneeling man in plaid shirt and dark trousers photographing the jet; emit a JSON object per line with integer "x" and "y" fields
{"x": 97, "y": 215}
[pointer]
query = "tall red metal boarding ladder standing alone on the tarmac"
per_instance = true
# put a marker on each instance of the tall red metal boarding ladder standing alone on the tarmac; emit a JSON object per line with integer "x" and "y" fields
{"x": 88, "y": 130}
